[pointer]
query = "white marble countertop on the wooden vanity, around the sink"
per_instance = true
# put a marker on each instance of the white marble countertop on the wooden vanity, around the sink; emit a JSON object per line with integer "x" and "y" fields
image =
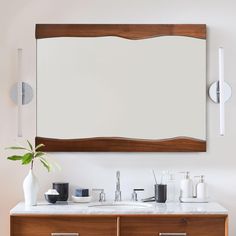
{"x": 178, "y": 209}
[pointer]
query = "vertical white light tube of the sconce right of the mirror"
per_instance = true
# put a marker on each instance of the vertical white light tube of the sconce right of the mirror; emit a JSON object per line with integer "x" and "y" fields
{"x": 221, "y": 91}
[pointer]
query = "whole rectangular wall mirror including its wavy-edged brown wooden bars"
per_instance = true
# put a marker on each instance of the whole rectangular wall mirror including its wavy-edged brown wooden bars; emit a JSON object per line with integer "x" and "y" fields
{"x": 121, "y": 88}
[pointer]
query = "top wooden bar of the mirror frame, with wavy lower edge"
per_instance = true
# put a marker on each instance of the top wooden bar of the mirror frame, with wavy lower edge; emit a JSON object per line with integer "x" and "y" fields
{"x": 129, "y": 31}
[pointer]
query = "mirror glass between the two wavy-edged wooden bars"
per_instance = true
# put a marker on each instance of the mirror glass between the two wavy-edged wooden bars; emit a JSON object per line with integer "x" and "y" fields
{"x": 114, "y": 87}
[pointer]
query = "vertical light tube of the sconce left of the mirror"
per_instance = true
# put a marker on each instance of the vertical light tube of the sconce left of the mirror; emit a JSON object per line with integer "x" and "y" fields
{"x": 19, "y": 93}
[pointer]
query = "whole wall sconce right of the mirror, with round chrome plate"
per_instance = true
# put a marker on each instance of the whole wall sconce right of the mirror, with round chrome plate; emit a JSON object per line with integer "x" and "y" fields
{"x": 220, "y": 91}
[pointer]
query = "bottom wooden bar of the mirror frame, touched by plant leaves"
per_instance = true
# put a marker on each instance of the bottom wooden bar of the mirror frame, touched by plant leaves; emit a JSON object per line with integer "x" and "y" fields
{"x": 116, "y": 144}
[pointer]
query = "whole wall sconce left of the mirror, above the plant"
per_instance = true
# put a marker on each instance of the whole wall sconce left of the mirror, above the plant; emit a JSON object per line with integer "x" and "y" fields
{"x": 21, "y": 93}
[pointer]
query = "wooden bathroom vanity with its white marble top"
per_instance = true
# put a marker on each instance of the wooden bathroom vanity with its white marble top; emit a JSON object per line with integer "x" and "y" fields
{"x": 155, "y": 219}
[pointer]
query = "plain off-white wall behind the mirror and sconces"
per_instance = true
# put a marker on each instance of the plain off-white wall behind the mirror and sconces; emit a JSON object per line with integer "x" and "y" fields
{"x": 17, "y": 21}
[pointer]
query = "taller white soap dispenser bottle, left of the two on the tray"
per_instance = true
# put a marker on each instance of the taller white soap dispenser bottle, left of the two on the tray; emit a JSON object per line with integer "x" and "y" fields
{"x": 186, "y": 186}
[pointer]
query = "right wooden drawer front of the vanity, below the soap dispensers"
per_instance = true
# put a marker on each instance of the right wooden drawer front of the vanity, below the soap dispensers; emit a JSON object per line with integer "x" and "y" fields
{"x": 172, "y": 226}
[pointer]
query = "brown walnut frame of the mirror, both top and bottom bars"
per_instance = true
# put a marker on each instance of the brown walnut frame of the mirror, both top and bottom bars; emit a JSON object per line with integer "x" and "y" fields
{"x": 120, "y": 144}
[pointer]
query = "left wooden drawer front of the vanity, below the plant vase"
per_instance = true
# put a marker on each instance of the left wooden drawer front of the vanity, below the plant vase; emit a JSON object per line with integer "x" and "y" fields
{"x": 63, "y": 226}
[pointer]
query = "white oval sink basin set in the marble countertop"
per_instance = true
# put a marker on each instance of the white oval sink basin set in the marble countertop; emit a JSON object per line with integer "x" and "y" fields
{"x": 123, "y": 205}
